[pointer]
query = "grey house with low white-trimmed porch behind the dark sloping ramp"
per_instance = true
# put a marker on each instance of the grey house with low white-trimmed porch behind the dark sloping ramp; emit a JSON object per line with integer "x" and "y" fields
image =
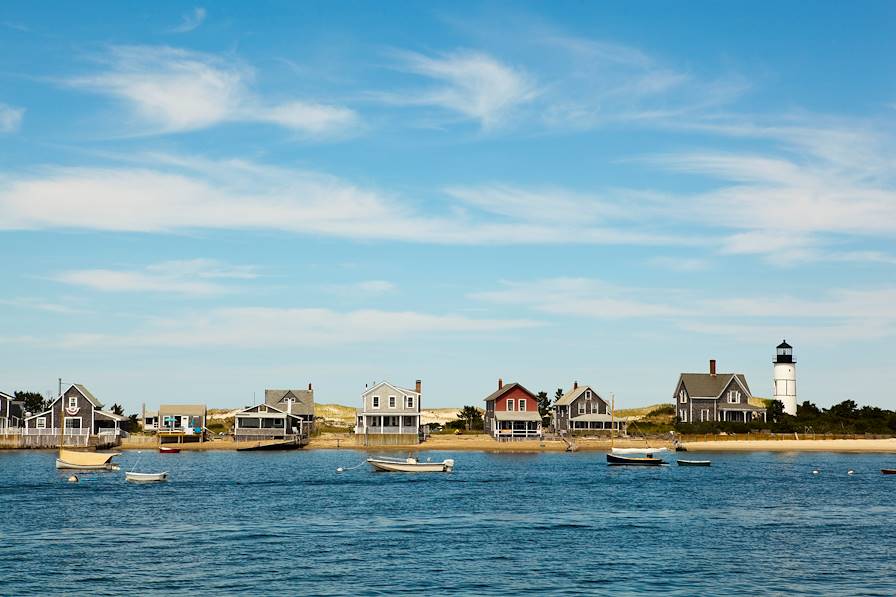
{"x": 285, "y": 414}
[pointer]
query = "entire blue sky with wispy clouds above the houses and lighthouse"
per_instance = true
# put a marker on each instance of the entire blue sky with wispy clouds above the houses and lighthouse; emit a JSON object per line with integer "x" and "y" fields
{"x": 198, "y": 202}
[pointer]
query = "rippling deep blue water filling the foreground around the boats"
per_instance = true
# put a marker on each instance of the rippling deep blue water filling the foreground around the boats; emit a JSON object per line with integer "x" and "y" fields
{"x": 289, "y": 524}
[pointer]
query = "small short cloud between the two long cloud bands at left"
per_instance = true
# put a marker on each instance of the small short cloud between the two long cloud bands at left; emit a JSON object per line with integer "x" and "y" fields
{"x": 190, "y": 277}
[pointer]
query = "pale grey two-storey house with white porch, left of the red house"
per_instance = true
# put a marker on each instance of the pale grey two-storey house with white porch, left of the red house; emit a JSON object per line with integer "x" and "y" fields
{"x": 389, "y": 415}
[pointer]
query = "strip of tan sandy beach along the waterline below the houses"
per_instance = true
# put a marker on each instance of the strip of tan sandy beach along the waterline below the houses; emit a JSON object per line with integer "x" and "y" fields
{"x": 334, "y": 441}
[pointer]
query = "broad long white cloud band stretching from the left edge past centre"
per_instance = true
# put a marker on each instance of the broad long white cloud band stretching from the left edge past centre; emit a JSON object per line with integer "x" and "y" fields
{"x": 170, "y": 193}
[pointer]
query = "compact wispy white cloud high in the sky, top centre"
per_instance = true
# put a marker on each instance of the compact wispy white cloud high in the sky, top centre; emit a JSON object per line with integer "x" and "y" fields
{"x": 474, "y": 85}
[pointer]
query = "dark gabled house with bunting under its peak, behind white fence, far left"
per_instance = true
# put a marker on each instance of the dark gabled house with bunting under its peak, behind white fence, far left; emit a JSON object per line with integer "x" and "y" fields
{"x": 81, "y": 414}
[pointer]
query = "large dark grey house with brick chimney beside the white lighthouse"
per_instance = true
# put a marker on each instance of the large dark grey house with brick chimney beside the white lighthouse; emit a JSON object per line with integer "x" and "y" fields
{"x": 713, "y": 396}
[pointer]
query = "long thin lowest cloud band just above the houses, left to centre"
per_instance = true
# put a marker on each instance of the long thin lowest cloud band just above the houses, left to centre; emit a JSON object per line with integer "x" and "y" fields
{"x": 257, "y": 327}
